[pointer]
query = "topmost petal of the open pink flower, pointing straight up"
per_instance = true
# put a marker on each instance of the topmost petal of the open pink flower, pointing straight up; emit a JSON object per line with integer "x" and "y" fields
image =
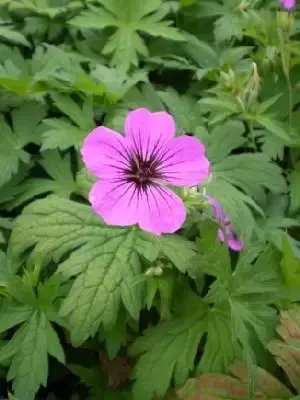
{"x": 148, "y": 131}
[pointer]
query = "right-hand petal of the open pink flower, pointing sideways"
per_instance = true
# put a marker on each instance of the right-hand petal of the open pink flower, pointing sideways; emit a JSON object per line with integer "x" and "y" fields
{"x": 184, "y": 162}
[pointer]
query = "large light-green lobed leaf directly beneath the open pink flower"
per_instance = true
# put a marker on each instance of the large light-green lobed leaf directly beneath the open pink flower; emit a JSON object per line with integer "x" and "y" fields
{"x": 103, "y": 261}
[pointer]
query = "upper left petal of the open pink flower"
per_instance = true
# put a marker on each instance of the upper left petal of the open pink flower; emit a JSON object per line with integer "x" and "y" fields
{"x": 105, "y": 153}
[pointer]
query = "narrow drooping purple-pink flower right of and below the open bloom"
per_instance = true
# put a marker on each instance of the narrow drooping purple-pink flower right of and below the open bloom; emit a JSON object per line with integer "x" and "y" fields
{"x": 229, "y": 235}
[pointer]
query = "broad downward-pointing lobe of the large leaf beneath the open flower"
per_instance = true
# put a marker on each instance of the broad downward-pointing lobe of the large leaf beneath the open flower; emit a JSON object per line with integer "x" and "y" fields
{"x": 101, "y": 288}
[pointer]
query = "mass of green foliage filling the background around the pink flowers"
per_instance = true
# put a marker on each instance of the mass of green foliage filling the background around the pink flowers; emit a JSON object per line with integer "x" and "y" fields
{"x": 90, "y": 311}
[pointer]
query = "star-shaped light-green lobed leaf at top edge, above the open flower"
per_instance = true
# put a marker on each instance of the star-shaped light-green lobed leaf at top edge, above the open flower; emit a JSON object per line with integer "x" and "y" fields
{"x": 126, "y": 45}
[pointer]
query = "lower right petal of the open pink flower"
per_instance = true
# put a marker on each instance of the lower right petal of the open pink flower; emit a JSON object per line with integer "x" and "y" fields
{"x": 161, "y": 211}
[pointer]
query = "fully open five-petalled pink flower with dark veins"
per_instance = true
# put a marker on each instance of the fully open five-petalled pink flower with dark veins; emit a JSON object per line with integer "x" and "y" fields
{"x": 134, "y": 171}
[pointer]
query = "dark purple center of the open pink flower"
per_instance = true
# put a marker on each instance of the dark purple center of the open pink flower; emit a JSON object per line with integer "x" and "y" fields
{"x": 143, "y": 172}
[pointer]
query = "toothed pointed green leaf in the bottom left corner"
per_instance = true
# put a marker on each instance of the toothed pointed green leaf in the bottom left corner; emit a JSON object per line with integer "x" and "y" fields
{"x": 27, "y": 351}
